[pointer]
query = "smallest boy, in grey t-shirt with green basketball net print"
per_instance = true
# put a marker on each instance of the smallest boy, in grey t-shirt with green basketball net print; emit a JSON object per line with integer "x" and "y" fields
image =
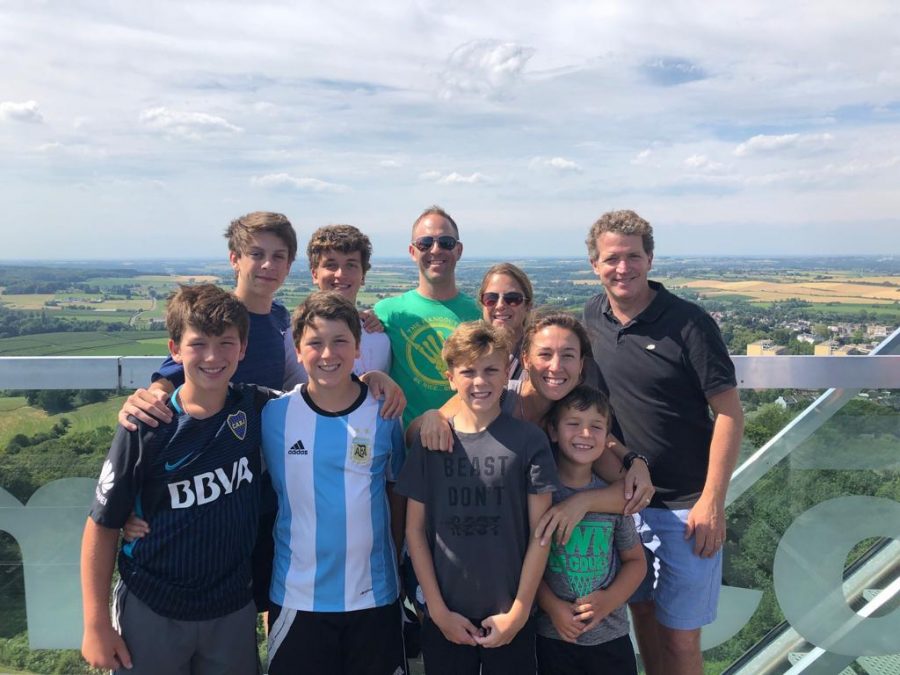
{"x": 583, "y": 625}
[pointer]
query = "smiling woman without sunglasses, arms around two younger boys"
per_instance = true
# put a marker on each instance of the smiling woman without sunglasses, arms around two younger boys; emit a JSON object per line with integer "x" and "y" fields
{"x": 555, "y": 349}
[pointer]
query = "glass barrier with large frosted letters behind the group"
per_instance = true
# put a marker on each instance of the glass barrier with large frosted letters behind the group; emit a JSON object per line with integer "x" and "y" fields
{"x": 810, "y": 581}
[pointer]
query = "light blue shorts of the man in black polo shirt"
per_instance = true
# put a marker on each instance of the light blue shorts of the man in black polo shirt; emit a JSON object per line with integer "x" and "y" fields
{"x": 683, "y": 586}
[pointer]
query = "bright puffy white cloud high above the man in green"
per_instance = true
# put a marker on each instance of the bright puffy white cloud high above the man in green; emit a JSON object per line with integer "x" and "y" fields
{"x": 484, "y": 68}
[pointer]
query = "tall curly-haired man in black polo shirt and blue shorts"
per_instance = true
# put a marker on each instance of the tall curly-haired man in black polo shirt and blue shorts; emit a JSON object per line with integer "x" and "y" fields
{"x": 665, "y": 366}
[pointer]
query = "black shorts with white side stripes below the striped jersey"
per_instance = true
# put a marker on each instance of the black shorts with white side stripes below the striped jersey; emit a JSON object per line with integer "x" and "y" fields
{"x": 364, "y": 642}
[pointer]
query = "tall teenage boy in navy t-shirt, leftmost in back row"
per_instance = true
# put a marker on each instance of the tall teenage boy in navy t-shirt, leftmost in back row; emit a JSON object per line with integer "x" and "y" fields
{"x": 262, "y": 247}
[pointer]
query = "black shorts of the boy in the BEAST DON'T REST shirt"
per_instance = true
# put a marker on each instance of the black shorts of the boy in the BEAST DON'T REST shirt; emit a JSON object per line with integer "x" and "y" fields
{"x": 443, "y": 657}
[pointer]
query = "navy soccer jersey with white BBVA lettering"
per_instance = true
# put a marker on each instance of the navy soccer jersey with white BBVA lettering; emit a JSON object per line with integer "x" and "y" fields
{"x": 196, "y": 482}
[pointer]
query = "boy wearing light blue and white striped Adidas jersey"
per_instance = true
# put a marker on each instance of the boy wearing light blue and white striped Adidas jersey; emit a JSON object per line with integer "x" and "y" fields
{"x": 332, "y": 457}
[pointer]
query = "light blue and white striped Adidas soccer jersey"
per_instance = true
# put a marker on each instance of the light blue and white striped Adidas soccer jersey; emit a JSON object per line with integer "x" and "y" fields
{"x": 333, "y": 546}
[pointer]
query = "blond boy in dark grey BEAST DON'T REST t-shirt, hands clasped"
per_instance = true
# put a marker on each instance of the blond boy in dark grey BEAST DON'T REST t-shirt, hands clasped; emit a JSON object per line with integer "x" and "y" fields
{"x": 470, "y": 517}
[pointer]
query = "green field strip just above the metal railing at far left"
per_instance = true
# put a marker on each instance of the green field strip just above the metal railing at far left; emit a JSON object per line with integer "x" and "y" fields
{"x": 126, "y": 343}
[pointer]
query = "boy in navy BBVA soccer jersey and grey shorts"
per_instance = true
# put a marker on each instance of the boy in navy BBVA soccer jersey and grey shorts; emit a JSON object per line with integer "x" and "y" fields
{"x": 183, "y": 603}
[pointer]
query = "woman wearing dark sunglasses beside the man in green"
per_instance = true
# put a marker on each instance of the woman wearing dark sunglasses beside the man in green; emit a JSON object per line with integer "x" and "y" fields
{"x": 506, "y": 298}
